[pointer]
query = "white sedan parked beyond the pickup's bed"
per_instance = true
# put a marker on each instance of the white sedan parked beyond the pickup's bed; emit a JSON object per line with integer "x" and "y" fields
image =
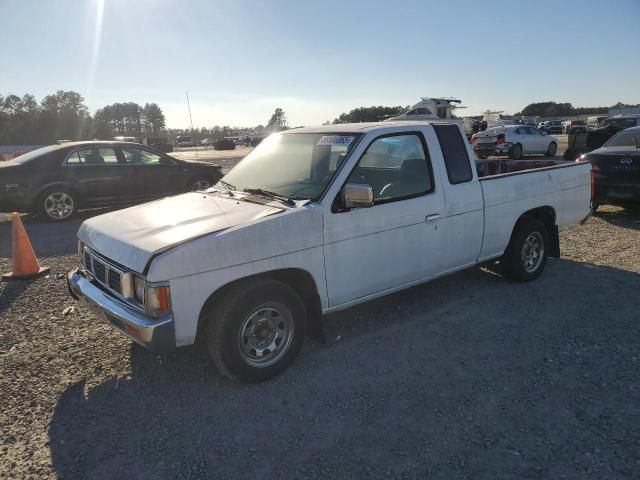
{"x": 513, "y": 140}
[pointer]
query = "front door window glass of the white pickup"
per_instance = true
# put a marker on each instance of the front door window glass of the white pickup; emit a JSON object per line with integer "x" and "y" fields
{"x": 396, "y": 167}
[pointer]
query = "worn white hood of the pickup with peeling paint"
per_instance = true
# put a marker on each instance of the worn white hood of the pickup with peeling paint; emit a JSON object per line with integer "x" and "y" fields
{"x": 131, "y": 237}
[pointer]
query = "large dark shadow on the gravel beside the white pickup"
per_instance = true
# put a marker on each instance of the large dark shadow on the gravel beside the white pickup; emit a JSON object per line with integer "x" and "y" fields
{"x": 468, "y": 376}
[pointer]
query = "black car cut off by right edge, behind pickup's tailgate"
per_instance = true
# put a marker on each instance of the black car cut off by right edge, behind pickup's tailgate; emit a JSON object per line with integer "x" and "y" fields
{"x": 616, "y": 169}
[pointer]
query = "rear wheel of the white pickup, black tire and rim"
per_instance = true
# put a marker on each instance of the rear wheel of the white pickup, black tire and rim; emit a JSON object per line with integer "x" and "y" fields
{"x": 519, "y": 261}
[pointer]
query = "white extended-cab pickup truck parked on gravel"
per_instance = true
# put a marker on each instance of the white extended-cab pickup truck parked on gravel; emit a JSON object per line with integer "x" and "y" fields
{"x": 312, "y": 221}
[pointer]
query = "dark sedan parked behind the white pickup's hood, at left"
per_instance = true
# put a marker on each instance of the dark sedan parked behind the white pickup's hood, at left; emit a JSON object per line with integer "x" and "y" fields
{"x": 58, "y": 180}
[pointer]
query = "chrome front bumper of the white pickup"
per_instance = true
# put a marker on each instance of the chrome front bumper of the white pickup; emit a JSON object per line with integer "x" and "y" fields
{"x": 156, "y": 335}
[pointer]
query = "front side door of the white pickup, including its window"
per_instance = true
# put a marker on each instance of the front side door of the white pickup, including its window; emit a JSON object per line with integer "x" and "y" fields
{"x": 395, "y": 242}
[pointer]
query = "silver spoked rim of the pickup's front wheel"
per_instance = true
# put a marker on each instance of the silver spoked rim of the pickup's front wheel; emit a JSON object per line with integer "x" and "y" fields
{"x": 265, "y": 335}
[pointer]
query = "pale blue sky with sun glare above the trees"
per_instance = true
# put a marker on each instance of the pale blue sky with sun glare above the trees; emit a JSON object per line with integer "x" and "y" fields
{"x": 239, "y": 60}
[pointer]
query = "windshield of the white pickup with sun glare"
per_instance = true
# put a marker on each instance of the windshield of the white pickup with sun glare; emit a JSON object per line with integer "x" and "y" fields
{"x": 293, "y": 165}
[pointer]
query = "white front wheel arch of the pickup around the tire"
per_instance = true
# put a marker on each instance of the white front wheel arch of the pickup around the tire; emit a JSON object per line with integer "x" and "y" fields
{"x": 298, "y": 279}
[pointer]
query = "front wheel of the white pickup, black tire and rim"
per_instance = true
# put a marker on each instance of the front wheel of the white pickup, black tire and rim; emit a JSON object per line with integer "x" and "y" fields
{"x": 230, "y": 317}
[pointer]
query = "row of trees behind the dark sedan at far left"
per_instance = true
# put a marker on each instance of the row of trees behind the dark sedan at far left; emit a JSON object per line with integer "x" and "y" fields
{"x": 64, "y": 116}
